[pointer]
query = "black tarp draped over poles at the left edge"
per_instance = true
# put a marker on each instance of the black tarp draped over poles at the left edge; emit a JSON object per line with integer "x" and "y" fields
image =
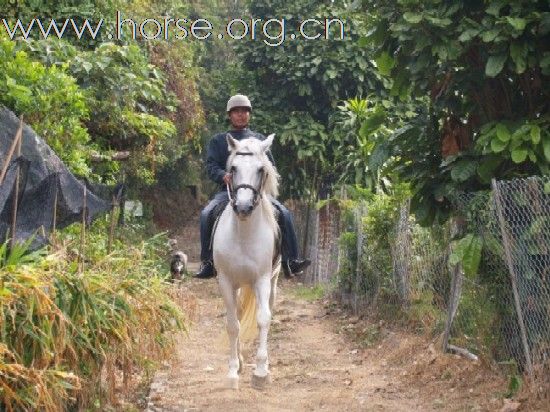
{"x": 43, "y": 178}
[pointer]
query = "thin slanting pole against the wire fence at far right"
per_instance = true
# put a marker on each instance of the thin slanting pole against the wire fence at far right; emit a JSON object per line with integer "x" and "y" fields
{"x": 513, "y": 277}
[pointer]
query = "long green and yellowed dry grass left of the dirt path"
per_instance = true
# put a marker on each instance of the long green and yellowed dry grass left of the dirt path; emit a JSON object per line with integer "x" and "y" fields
{"x": 65, "y": 336}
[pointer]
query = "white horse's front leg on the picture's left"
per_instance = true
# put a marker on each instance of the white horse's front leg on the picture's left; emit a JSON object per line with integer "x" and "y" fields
{"x": 229, "y": 294}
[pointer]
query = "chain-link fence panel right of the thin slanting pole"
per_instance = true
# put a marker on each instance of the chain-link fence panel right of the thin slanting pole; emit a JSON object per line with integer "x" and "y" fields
{"x": 523, "y": 210}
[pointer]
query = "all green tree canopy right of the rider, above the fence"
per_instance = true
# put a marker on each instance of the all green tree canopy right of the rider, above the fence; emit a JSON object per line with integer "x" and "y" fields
{"x": 442, "y": 95}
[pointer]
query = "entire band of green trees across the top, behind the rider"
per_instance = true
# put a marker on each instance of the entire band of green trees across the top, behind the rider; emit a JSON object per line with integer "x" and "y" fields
{"x": 443, "y": 96}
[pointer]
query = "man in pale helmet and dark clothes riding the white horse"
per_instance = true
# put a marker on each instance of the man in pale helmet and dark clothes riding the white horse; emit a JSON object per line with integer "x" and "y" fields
{"x": 238, "y": 110}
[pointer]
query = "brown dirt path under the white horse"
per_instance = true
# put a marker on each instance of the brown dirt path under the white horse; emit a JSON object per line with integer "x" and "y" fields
{"x": 316, "y": 366}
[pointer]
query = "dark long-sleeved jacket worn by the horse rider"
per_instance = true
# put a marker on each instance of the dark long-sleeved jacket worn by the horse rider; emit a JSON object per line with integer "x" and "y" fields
{"x": 217, "y": 153}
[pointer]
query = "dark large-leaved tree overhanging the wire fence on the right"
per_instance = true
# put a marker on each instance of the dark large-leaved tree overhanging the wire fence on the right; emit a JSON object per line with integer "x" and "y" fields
{"x": 477, "y": 76}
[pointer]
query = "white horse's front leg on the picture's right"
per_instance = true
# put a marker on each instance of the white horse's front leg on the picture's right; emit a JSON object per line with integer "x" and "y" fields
{"x": 263, "y": 291}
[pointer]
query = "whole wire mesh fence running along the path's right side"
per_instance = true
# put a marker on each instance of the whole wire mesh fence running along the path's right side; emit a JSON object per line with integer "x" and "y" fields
{"x": 501, "y": 313}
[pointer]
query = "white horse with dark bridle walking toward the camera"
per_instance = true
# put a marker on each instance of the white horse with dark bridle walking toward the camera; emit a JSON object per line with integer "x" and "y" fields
{"x": 245, "y": 251}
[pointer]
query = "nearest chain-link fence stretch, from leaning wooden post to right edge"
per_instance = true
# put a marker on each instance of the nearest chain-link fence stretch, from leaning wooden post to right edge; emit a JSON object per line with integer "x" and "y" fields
{"x": 504, "y": 311}
